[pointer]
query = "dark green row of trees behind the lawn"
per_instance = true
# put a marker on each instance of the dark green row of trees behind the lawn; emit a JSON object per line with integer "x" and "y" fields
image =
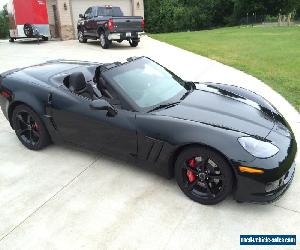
{"x": 182, "y": 15}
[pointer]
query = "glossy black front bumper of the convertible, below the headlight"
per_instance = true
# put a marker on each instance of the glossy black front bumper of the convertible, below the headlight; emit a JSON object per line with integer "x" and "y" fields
{"x": 278, "y": 171}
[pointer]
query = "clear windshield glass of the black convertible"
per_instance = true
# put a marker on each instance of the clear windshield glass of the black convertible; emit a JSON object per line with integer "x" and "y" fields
{"x": 147, "y": 83}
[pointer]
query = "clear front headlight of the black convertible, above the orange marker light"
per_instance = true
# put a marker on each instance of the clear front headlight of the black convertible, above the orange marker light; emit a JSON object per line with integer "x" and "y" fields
{"x": 258, "y": 148}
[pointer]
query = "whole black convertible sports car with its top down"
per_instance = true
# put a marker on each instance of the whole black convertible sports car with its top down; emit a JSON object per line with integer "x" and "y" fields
{"x": 216, "y": 139}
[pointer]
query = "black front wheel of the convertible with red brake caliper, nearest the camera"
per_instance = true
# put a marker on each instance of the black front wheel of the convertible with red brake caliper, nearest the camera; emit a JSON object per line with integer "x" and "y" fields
{"x": 203, "y": 175}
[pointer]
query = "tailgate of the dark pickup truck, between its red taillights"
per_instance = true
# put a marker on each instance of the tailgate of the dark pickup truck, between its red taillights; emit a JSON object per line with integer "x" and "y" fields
{"x": 127, "y": 23}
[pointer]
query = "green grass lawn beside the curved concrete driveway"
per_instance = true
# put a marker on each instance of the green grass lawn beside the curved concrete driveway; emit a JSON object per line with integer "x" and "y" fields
{"x": 272, "y": 54}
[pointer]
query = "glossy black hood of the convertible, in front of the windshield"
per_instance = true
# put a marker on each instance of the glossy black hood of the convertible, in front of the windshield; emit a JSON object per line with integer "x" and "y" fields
{"x": 228, "y": 107}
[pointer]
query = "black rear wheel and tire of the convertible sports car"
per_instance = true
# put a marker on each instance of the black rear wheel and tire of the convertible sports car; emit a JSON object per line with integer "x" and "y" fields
{"x": 29, "y": 128}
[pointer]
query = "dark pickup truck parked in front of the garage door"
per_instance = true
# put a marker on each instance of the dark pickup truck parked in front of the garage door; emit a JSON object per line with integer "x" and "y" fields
{"x": 108, "y": 24}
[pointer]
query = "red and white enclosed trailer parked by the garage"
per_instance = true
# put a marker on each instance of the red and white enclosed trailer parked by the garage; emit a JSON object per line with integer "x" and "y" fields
{"x": 28, "y": 19}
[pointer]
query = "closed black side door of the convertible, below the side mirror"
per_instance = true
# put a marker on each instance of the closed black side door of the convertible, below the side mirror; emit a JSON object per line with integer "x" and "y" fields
{"x": 78, "y": 123}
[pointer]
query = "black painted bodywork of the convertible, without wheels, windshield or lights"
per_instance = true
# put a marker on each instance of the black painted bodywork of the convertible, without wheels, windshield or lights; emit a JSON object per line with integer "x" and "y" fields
{"x": 213, "y": 115}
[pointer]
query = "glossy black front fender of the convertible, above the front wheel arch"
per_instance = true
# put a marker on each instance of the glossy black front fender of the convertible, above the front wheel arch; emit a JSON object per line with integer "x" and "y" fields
{"x": 179, "y": 132}
